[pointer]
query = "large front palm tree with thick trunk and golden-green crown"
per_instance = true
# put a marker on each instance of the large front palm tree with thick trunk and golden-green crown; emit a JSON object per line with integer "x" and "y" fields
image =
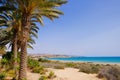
{"x": 33, "y": 10}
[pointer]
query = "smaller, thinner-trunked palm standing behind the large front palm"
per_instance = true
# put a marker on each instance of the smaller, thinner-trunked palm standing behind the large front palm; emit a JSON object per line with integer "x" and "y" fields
{"x": 14, "y": 28}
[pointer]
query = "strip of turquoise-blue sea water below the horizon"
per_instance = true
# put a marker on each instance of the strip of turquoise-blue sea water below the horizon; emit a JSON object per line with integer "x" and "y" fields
{"x": 89, "y": 59}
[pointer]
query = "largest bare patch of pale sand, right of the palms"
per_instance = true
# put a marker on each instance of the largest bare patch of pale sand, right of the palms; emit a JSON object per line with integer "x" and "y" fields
{"x": 73, "y": 74}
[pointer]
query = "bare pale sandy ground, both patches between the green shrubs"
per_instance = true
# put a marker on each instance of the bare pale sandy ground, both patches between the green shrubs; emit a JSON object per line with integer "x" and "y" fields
{"x": 66, "y": 74}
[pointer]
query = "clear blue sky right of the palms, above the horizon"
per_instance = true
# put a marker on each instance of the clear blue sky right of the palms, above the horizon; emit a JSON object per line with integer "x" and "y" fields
{"x": 87, "y": 28}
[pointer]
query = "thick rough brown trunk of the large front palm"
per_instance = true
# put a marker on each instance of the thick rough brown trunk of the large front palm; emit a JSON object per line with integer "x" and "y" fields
{"x": 23, "y": 57}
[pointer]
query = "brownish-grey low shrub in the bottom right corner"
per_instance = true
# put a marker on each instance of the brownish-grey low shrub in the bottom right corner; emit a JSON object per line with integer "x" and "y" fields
{"x": 110, "y": 73}
